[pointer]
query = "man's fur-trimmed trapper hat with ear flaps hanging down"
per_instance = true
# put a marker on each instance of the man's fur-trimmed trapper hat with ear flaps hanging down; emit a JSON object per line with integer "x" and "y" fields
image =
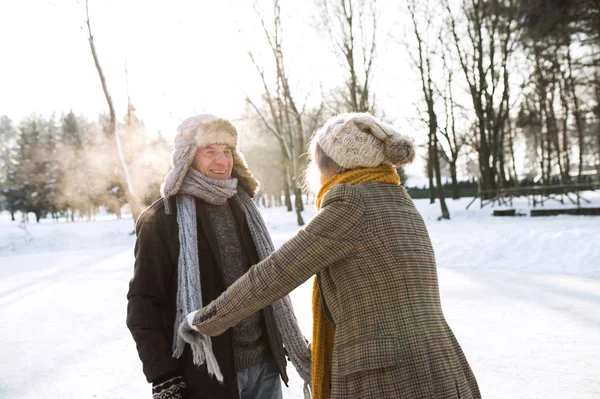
{"x": 197, "y": 132}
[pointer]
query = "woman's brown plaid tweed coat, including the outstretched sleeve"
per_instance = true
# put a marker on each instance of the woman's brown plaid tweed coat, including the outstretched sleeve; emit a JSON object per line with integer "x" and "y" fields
{"x": 376, "y": 268}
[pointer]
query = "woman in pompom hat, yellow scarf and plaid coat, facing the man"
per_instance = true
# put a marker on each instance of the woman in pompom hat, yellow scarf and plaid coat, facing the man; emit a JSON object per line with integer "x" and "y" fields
{"x": 379, "y": 330}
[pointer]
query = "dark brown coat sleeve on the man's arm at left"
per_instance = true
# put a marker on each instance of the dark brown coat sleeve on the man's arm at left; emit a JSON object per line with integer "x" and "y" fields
{"x": 148, "y": 297}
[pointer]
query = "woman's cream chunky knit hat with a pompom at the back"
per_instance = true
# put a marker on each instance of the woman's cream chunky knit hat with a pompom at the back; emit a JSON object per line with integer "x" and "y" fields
{"x": 358, "y": 140}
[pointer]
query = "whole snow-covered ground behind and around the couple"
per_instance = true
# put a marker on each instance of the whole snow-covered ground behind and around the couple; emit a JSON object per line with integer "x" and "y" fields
{"x": 522, "y": 295}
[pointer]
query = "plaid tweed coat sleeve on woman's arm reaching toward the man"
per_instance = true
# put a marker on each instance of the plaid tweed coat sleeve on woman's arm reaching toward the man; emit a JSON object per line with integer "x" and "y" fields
{"x": 330, "y": 237}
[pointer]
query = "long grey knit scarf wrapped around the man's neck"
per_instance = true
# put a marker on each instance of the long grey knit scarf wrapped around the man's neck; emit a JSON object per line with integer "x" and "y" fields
{"x": 189, "y": 294}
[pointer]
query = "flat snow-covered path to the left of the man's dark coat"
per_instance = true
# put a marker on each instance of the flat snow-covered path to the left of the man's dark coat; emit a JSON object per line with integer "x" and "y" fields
{"x": 67, "y": 337}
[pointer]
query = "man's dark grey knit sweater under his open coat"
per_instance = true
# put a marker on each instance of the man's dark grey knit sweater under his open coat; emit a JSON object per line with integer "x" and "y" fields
{"x": 250, "y": 345}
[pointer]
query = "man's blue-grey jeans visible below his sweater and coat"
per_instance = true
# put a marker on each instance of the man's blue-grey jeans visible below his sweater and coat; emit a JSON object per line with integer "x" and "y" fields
{"x": 260, "y": 382}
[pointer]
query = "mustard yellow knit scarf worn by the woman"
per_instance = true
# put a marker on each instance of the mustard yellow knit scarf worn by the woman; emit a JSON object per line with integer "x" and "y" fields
{"x": 323, "y": 332}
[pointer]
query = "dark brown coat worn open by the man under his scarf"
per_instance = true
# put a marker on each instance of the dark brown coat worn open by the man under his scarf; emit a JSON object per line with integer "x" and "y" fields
{"x": 152, "y": 293}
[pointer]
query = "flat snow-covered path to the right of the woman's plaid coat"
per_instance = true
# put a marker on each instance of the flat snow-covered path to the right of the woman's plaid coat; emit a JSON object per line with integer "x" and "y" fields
{"x": 526, "y": 335}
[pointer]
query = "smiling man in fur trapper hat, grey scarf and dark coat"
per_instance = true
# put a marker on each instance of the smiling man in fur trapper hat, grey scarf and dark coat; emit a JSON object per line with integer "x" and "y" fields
{"x": 191, "y": 245}
